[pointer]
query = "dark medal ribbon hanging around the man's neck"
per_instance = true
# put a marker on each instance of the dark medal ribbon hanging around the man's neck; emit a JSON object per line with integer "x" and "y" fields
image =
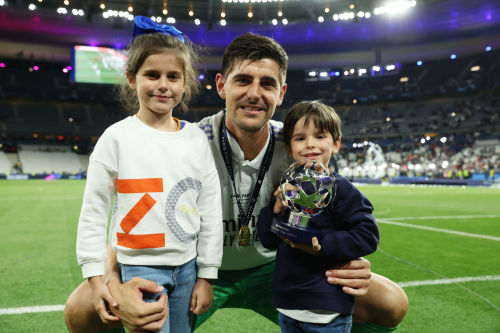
{"x": 266, "y": 163}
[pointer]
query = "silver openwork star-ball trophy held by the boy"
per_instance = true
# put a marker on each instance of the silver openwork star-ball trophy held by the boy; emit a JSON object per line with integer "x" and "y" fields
{"x": 307, "y": 188}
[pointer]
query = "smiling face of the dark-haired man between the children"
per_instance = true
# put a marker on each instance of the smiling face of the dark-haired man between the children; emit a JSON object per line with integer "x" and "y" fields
{"x": 252, "y": 91}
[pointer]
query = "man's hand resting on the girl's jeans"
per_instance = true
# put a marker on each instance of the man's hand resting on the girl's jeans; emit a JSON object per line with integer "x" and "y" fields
{"x": 135, "y": 314}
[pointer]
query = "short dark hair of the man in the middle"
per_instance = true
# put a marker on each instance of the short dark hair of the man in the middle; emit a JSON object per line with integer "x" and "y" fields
{"x": 254, "y": 47}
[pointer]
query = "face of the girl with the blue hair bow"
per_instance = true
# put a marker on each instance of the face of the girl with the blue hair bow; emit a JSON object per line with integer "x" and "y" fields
{"x": 159, "y": 83}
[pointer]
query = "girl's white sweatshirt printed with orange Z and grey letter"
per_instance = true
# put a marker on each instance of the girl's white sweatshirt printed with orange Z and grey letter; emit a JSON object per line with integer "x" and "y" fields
{"x": 168, "y": 202}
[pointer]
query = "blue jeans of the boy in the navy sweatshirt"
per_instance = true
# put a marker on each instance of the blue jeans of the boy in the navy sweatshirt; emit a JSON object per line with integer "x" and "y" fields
{"x": 341, "y": 324}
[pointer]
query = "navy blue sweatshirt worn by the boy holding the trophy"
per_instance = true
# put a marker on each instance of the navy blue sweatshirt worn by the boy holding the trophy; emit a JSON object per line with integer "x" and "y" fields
{"x": 348, "y": 231}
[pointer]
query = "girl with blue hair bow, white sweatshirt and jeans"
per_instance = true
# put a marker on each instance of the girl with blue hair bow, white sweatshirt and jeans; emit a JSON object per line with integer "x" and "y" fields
{"x": 166, "y": 222}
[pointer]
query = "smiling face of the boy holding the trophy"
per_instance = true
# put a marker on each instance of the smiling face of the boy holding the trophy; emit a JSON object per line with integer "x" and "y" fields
{"x": 309, "y": 143}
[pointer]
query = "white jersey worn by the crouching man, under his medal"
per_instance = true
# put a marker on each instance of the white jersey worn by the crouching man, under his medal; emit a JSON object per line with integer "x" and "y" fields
{"x": 246, "y": 172}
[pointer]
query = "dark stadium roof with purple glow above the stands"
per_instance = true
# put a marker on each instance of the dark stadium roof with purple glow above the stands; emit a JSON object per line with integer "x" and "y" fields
{"x": 423, "y": 22}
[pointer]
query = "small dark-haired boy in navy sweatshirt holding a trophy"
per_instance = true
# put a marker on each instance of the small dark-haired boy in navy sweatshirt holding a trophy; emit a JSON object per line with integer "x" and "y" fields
{"x": 304, "y": 299}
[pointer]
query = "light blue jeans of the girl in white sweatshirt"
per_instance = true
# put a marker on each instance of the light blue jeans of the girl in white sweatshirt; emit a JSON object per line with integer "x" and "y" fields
{"x": 178, "y": 282}
